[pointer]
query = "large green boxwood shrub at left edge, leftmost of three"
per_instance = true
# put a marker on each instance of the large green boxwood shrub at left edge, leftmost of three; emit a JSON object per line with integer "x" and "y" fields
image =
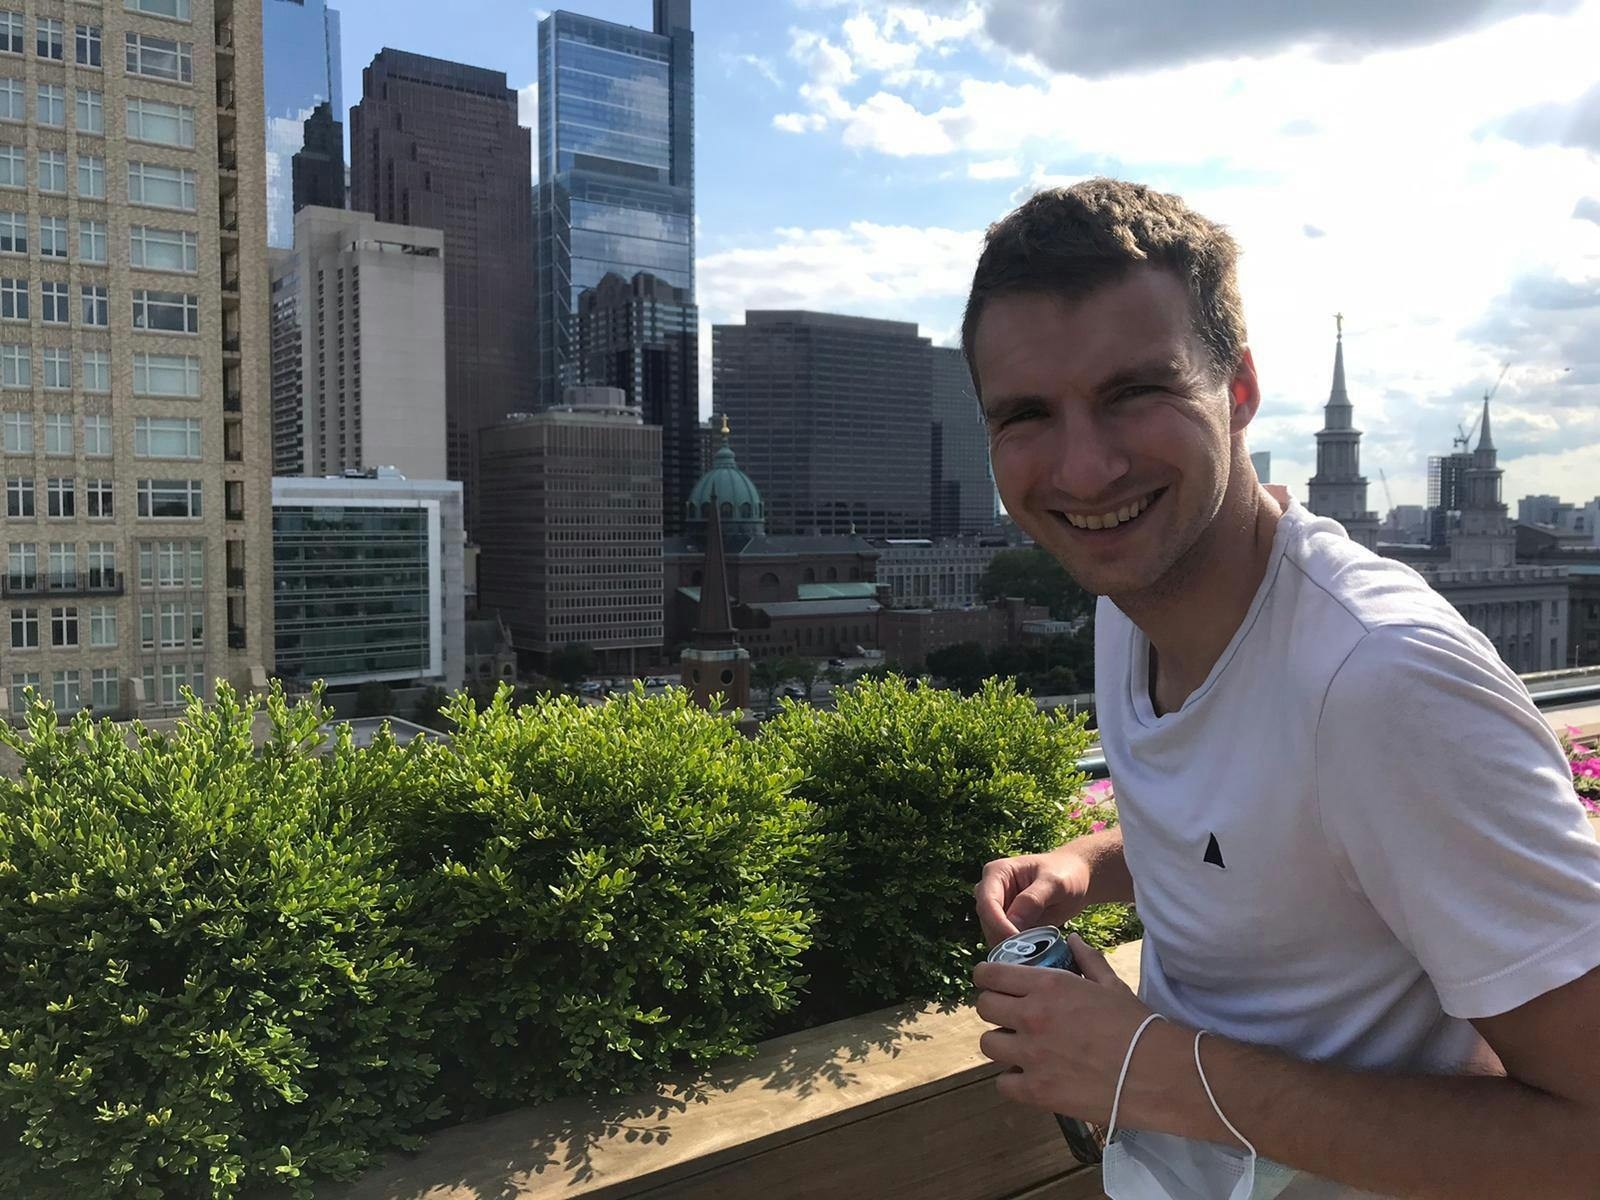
{"x": 206, "y": 986}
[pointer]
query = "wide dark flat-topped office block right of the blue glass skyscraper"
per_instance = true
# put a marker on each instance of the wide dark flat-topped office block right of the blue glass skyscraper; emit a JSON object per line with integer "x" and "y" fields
{"x": 834, "y": 417}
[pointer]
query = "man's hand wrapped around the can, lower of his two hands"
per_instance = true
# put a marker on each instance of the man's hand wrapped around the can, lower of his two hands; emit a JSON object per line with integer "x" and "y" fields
{"x": 1062, "y": 1036}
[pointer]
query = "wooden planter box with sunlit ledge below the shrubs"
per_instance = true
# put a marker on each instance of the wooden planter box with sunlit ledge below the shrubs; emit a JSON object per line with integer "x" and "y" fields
{"x": 897, "y": 1105}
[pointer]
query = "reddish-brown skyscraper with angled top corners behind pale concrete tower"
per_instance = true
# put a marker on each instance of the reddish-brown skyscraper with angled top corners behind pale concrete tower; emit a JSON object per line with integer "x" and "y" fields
{"x": 438, "y": 145}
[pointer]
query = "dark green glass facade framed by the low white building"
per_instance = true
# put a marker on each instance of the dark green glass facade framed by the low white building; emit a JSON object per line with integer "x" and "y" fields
{"x": 351, "y": 593}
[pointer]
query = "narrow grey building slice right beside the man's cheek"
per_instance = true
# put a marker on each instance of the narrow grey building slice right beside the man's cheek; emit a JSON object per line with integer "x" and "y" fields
{"x": 964, "y": 492}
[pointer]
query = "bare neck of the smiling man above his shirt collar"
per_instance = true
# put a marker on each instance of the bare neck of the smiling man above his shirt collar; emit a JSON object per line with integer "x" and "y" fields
{"x": 1191, "y": 622}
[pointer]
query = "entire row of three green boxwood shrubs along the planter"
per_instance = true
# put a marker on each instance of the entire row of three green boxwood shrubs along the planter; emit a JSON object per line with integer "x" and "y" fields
{"x": 236, "y": 969}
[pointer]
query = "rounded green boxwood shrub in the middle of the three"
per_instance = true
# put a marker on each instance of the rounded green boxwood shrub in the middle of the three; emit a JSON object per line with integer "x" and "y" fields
{"x": 602, "y": 892}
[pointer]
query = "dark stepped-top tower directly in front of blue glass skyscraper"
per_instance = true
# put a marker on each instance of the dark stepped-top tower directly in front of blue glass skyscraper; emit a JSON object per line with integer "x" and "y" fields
{"x": 642, "y": 335}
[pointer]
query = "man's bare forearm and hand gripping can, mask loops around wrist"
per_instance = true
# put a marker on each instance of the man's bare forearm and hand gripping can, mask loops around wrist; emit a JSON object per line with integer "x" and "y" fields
{"x": 1524, "y": 1134}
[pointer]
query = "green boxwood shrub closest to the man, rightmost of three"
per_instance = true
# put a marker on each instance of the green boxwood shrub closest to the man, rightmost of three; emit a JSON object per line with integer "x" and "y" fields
{"x": 918, "y": 790}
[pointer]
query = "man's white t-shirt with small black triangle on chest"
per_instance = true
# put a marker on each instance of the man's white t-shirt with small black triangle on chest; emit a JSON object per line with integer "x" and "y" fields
{"x": 1359, "y": 833}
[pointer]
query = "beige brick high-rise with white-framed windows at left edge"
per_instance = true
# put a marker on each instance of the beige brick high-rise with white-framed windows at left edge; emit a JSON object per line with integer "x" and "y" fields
{"x": 134, "y": 353}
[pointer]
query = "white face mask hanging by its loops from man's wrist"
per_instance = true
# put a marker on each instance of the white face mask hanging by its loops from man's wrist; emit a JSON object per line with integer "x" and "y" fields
{"x": 1142, "y": 1166}
